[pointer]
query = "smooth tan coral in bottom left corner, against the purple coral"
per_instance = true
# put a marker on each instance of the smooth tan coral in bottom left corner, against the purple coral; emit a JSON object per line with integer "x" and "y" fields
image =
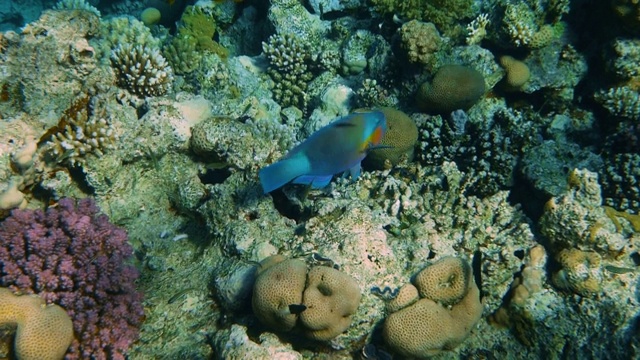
{"x": 44, "y": 332}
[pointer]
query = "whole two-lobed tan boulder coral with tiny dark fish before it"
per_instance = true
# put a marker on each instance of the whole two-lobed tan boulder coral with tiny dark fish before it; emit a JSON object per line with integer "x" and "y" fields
{"x": 320, "y": 303}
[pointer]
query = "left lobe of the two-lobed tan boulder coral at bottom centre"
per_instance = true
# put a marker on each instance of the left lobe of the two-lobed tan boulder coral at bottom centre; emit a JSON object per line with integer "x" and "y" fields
{"x": 279, "y": 284}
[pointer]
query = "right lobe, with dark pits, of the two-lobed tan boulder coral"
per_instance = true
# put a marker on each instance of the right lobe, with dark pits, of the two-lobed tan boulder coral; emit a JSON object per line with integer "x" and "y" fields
{"x": 331, "y": 298}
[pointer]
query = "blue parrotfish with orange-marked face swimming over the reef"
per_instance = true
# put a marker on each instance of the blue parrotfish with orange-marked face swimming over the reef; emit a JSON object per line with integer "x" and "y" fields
{"x": 338, "y": 147}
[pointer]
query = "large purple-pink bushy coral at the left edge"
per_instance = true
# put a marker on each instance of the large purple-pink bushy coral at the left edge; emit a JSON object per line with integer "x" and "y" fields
{"x": 73, "y": 256}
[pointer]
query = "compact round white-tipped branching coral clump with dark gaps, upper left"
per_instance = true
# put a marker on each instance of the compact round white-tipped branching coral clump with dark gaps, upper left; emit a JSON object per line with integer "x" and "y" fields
{"x": 142, "y": 70}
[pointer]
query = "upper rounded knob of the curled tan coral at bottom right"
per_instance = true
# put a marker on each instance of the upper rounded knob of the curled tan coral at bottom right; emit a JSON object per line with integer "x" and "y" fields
{"x": 446, "y": 281}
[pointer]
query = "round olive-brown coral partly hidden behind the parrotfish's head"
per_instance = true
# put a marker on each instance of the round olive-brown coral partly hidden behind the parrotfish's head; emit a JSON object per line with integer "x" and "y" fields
{"x": 398, "y": 142}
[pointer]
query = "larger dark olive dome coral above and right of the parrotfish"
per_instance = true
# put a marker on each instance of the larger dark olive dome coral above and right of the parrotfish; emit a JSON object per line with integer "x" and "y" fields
{"x": 453, "y": 87}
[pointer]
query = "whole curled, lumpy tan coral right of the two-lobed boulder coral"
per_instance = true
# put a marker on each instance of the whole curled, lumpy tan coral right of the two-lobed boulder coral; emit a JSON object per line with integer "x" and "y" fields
{"x": 426, "y": 327}
